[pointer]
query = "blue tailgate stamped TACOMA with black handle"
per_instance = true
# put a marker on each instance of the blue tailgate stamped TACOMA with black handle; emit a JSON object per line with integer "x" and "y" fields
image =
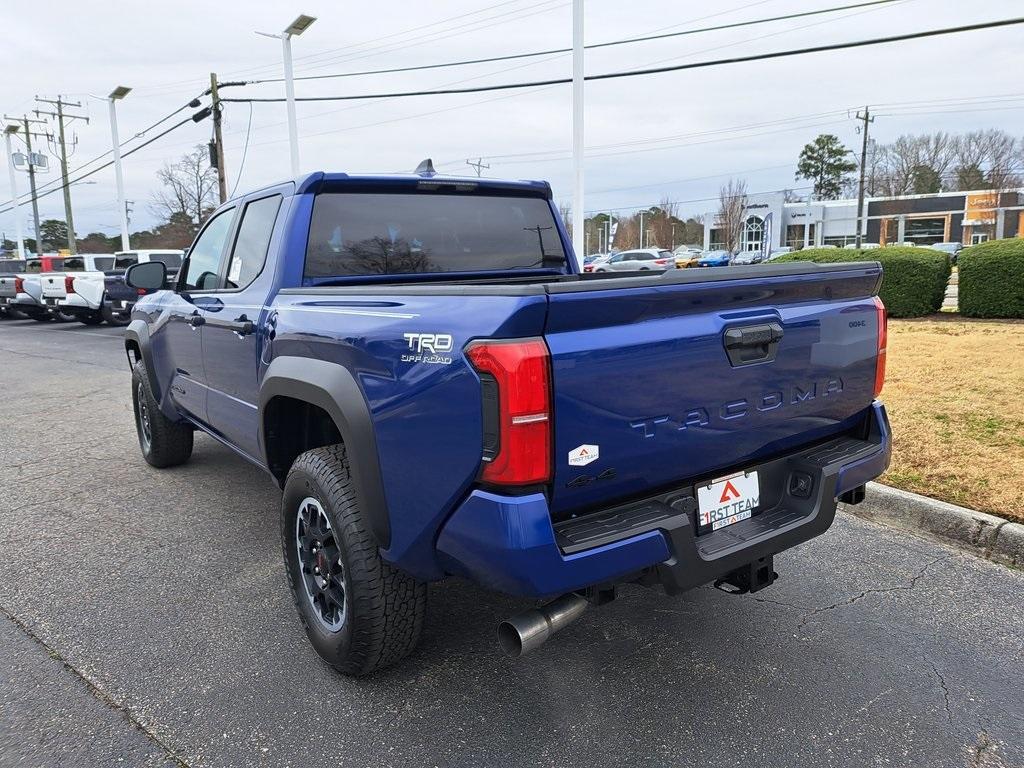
{"x": 678, "y": 380}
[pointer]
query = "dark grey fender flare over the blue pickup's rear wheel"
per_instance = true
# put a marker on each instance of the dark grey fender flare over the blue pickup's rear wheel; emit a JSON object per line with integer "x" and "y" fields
{"x": 334, "y": 390}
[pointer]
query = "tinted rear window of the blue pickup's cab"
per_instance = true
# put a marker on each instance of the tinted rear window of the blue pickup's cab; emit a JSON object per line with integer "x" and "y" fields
{"x": 358, "y": 234}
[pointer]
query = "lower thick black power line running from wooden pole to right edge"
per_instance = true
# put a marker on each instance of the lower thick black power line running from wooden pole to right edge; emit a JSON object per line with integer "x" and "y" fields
{"x": 660, "y": 70}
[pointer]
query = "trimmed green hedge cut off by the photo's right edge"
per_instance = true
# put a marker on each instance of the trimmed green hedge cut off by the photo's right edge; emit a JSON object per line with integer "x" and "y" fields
{"x": 992, "y": 279}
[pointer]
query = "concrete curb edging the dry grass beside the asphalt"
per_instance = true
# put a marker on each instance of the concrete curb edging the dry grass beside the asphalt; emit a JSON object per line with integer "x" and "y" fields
{"x": 984, "y": 535}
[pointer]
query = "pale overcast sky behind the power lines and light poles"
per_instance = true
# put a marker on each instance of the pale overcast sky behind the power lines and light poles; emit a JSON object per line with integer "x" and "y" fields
{"x": 678, "y": 136}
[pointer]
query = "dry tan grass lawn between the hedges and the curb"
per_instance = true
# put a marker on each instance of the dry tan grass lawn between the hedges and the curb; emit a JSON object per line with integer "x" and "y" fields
{"x": 955, "y": 392}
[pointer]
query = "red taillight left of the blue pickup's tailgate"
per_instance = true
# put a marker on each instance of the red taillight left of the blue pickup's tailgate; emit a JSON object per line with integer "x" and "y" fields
{"x": 516, "y": 377}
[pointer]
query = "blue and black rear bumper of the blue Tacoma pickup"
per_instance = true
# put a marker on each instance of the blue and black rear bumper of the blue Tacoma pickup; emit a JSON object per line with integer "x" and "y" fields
{"x": 509, "y": 543}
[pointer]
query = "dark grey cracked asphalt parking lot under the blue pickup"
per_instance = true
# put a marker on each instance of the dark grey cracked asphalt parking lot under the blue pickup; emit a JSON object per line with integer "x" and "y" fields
{"x": 146, "y": 621}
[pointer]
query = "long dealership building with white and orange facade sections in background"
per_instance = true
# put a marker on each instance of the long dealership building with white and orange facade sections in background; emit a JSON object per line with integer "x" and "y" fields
{"x": 967, "y": 218}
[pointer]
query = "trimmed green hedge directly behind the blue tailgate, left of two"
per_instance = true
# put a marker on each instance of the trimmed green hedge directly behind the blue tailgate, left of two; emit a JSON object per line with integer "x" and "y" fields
{"x": 914, "y": 280}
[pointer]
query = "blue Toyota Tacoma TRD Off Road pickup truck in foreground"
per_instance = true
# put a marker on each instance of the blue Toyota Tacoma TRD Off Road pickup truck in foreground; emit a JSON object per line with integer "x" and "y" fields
{"x": 439, "y": 391}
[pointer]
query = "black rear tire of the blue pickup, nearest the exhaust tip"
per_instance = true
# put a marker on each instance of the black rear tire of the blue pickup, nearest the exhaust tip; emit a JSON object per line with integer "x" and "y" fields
{"x": 383, "y": 608}
